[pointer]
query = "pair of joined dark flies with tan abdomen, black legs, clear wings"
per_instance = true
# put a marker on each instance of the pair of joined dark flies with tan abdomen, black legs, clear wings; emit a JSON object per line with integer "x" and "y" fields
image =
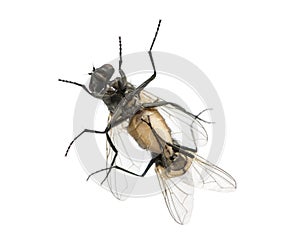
{"x": 178, "y": 167}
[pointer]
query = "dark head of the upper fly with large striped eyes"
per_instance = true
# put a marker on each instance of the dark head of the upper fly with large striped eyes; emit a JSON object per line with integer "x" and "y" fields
{"x": 100, "y": 80}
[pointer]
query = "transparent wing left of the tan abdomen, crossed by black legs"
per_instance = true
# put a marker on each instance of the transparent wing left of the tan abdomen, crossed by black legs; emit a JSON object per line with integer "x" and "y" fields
{"x": 130, "y": 157}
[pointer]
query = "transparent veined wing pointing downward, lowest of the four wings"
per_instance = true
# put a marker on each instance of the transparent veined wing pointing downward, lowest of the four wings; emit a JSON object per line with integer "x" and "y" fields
{"x": 178, "y": 195}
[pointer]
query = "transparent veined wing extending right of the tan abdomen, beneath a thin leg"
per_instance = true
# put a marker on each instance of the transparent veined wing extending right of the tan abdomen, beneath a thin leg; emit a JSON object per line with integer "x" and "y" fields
{"x": 187, "y": 129}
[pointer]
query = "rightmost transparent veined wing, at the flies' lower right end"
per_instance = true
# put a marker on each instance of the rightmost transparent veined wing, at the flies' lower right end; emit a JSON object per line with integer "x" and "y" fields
{"x": 208, "y": 176}
